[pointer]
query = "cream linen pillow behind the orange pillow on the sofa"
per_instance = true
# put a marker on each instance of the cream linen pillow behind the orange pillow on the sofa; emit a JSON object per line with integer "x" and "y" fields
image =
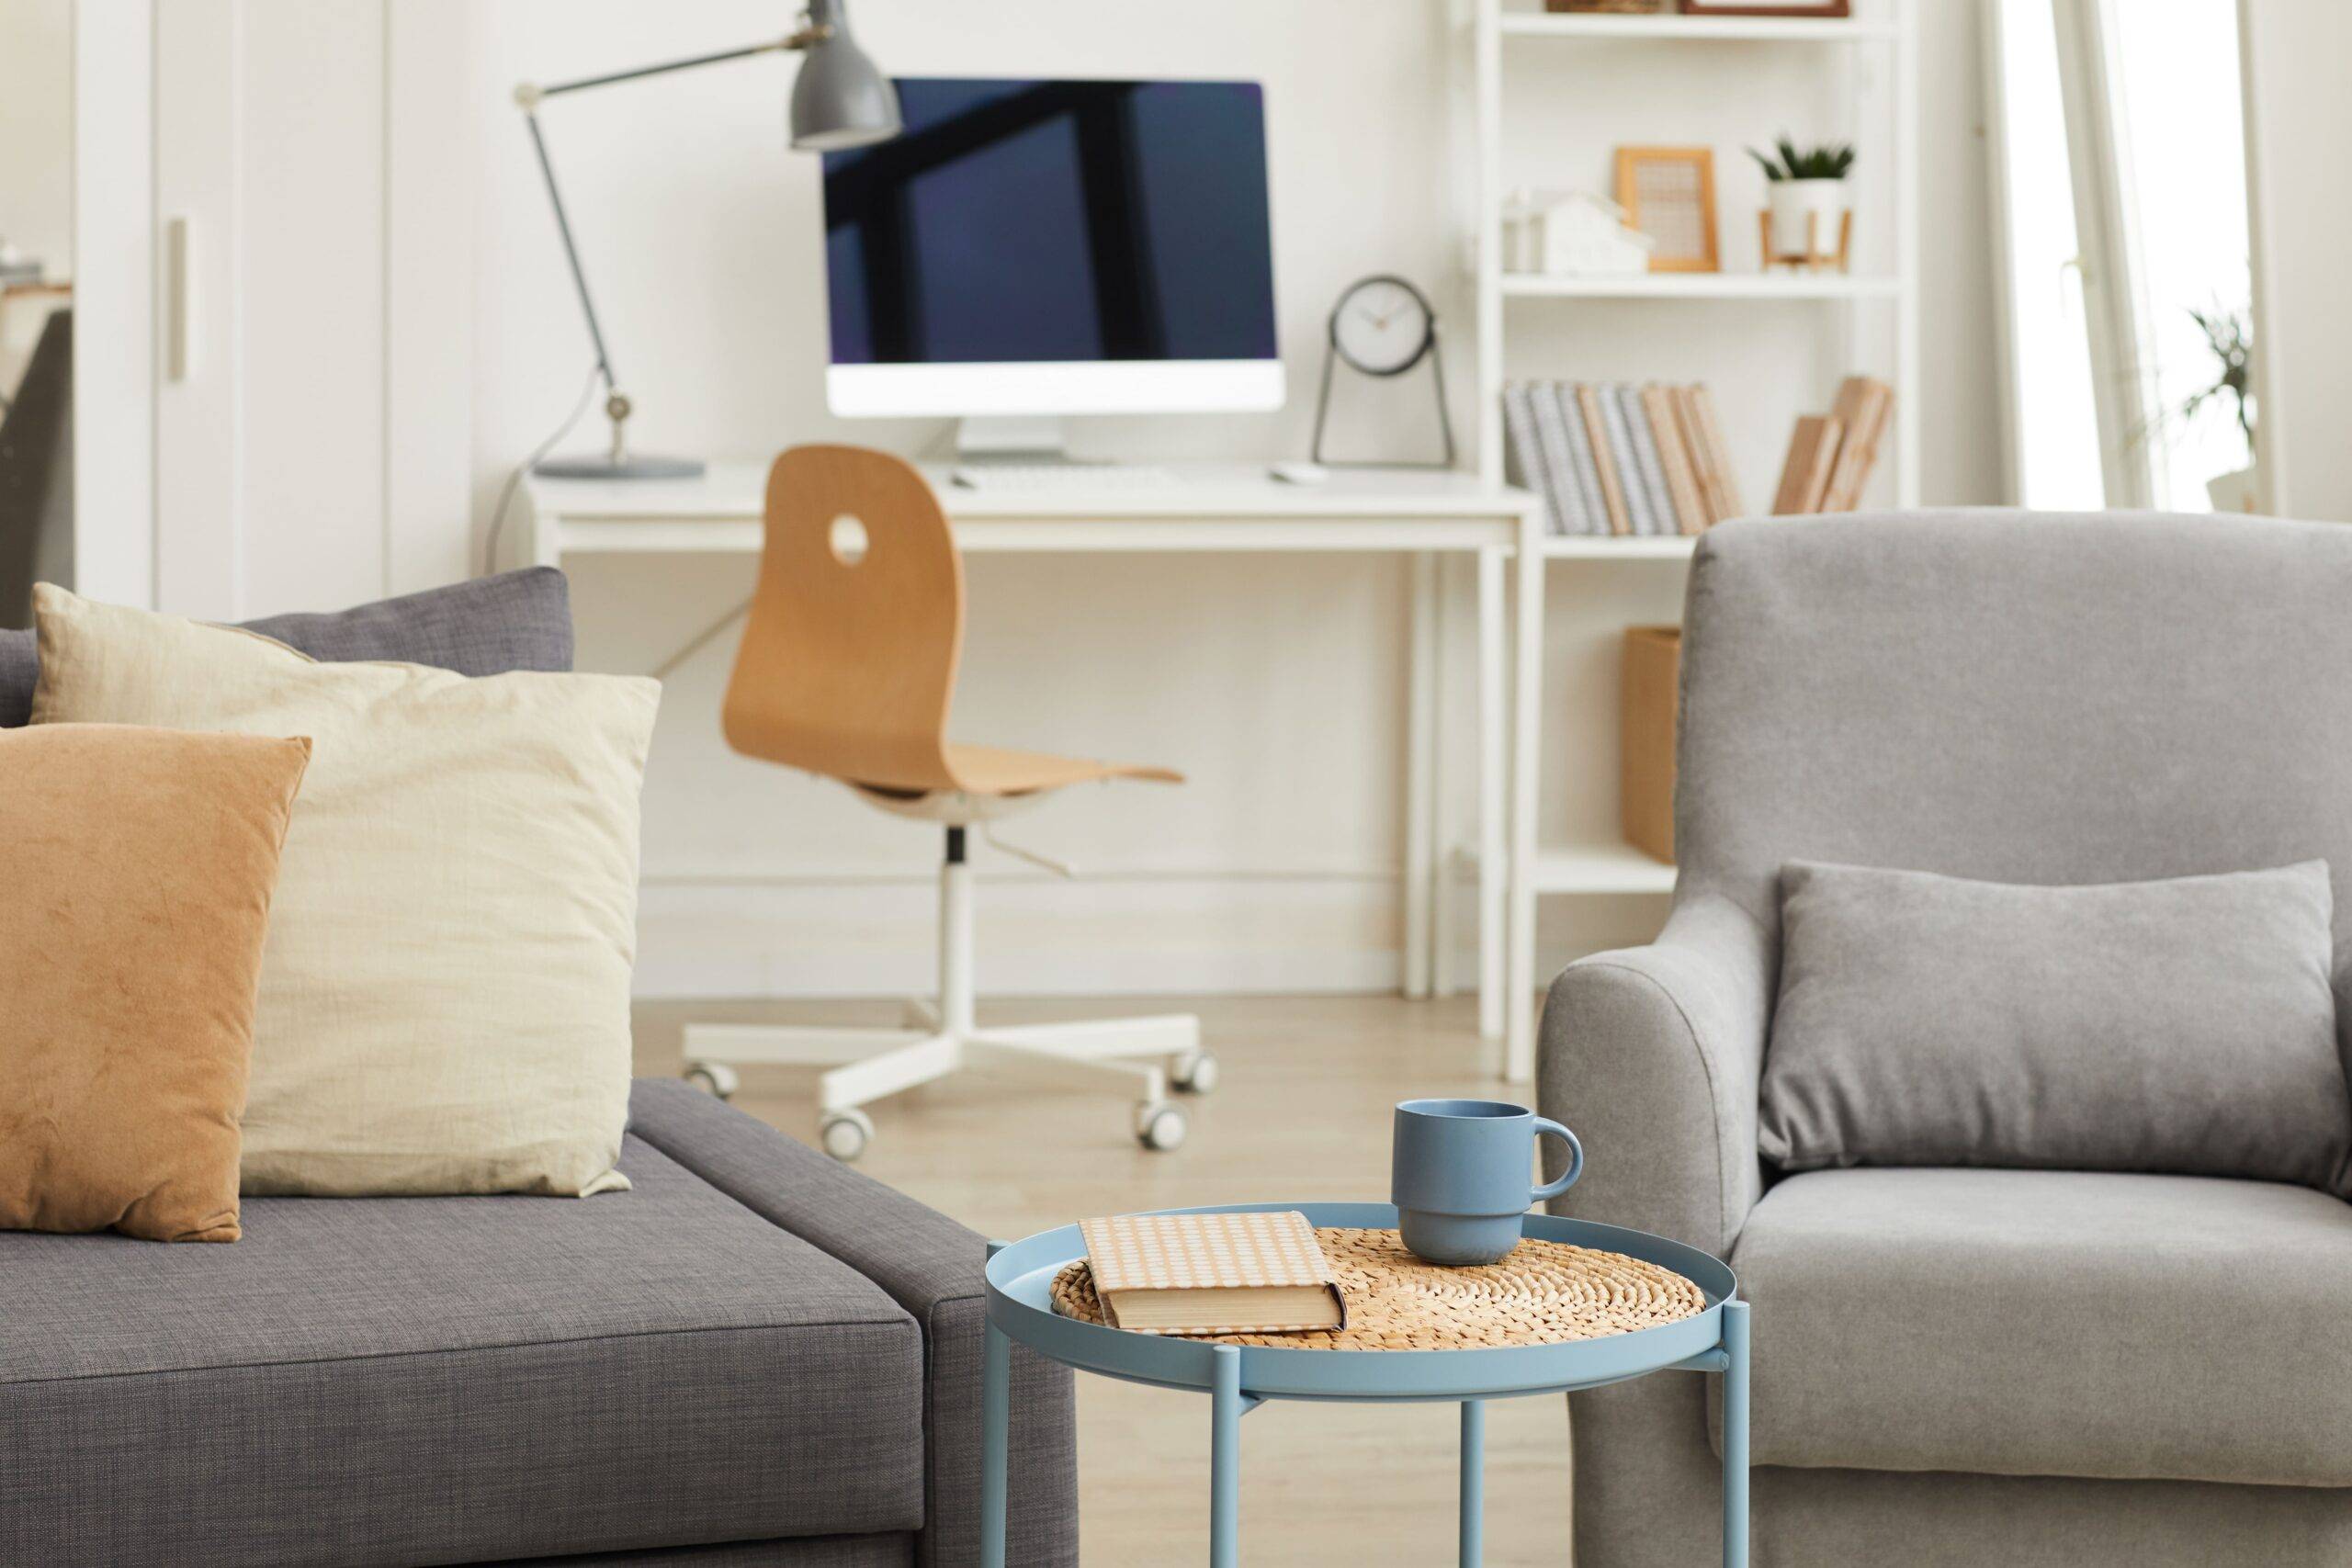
{"x": 446, "y": 981}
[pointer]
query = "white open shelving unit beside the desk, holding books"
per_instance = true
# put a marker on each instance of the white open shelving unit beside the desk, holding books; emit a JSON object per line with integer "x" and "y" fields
{"x": 1549, "y": 100}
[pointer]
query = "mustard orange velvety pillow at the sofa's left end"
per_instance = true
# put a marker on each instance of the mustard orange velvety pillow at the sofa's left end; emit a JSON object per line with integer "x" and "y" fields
{"x": 138, "y": 897}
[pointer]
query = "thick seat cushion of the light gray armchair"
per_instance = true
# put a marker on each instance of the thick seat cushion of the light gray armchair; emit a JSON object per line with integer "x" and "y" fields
{"x": 2052, "y": 1325}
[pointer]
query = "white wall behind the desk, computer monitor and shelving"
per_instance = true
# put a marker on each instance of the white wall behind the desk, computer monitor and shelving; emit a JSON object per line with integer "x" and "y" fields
{"x": 1276, "y": 685}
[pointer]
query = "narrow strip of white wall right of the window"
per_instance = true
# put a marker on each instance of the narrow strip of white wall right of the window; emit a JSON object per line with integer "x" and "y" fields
{"x": 2299, "y": 128}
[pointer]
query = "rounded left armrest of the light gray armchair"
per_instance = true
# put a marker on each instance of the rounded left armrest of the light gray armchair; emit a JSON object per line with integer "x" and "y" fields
{"x": 1655, "y": 1057}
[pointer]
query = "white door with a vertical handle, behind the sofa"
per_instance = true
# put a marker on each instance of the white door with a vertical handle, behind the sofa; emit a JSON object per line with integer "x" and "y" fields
{"x": 309, "y": 257}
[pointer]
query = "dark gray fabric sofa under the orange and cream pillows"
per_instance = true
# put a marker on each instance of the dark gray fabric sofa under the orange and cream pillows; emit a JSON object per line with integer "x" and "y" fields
{"x": 756, "y": 1358}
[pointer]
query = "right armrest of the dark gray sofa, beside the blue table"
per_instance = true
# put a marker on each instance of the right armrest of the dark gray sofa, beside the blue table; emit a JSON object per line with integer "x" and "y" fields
{"x": 933, "y": 1268}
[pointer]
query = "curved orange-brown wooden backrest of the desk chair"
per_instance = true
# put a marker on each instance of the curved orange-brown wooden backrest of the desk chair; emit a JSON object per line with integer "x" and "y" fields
{"x": 848, "y": 664}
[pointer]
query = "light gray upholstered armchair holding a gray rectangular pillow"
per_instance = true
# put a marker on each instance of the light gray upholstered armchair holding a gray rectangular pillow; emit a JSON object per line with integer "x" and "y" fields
{"x": 1953, "y": 1369}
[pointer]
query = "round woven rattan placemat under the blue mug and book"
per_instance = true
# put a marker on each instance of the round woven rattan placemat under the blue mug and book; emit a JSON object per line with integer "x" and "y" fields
{"x": 1544, "y": 1294}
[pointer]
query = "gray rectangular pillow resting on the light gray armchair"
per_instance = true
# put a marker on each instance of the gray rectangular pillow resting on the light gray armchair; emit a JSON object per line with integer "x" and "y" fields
{"x": 2174, "y": 1026}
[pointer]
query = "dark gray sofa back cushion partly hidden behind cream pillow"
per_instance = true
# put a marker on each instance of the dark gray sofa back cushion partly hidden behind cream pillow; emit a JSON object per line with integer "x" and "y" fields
{"x": 488, "y": 626}
